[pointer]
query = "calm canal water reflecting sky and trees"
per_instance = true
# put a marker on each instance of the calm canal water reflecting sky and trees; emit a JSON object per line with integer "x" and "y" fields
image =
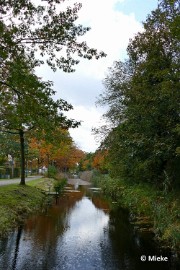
{"x": 81, "y": 231}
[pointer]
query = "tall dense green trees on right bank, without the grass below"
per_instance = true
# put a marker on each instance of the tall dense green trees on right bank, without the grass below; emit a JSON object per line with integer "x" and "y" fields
{"x": 143, "y": 95}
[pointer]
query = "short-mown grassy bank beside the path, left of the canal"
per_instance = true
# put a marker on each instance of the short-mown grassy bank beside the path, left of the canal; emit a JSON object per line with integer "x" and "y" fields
{"x": 18, "y": 202}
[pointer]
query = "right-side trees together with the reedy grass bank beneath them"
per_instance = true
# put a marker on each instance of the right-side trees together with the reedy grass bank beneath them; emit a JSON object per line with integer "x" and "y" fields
{"x": 142, "y": 132}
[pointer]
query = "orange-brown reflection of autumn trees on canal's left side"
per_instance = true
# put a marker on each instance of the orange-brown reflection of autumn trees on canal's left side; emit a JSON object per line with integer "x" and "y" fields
{"x": 41, "y": 234}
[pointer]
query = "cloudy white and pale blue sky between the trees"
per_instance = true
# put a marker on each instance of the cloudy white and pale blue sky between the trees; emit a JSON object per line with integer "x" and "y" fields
{"x": 113, "y": 23}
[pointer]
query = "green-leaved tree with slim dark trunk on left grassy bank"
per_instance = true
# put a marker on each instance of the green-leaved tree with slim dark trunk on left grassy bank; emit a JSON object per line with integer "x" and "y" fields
{"x": 30, "y": 106}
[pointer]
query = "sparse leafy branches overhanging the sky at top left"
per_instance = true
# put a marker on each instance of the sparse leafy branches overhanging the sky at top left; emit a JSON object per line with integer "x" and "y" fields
{"x": 47, "y": 28}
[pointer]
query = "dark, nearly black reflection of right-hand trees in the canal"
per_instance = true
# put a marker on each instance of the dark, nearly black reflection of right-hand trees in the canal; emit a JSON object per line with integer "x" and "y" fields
{"x": 123, "y": 246}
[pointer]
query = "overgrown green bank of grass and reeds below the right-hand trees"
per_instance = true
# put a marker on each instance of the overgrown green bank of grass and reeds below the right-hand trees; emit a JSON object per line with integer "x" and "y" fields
{"x": 148, "y": 205}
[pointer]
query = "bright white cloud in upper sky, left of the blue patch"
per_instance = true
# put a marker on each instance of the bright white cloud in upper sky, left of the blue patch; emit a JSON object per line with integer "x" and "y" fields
{"x": 110, "y": 32}
